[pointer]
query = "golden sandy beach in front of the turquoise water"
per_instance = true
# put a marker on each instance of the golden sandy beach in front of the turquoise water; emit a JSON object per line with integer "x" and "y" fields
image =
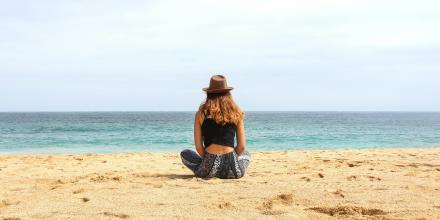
{"x": 313, "y": 184}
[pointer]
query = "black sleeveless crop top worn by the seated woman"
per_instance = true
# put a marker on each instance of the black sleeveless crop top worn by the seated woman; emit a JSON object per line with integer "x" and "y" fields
{"x": 214, "y": 133}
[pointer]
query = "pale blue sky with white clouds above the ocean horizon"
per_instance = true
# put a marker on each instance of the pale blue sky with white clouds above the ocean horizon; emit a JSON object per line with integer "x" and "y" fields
{"x": 279, "y": 55}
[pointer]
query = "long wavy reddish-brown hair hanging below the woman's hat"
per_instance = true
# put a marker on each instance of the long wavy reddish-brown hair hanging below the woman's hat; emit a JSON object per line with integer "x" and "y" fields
{"x": 221, "y": 108}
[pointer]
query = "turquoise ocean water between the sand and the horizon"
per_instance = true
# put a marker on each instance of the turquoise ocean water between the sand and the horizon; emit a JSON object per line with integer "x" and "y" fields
{"x": 99, "y": 132}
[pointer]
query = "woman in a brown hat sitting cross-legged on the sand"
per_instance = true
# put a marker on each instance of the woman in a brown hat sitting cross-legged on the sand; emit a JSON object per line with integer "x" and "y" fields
{"x": 217, "y": 122}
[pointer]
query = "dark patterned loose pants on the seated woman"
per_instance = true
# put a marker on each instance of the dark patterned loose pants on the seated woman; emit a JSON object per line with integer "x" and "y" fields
{"x": 224, "y": 166}
